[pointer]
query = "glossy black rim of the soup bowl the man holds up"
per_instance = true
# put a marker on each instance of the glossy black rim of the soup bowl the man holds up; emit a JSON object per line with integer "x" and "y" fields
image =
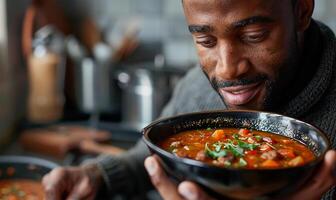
{"x": 200, "y": 164}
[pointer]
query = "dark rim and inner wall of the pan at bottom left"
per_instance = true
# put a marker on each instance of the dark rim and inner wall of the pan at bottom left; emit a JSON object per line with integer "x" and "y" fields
{"x": 24, "y": 167}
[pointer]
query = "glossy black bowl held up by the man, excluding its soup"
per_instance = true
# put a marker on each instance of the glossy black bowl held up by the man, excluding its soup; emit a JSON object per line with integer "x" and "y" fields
{"x": 238, "y": 183}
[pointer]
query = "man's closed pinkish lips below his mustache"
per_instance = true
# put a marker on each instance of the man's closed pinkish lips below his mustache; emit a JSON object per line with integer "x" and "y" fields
{"x": 240, "y": 95}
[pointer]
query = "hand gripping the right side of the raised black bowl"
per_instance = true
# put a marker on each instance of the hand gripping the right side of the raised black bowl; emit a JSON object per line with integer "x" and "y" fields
{"x": 322, "y": 181}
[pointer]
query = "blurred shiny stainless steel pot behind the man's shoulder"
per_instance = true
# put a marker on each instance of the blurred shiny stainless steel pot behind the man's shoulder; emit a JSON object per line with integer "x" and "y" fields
{"x": 146, "y": 88}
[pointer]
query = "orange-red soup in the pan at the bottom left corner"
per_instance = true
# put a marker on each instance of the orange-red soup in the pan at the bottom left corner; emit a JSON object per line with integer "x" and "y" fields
{"x": 17, "y": 189}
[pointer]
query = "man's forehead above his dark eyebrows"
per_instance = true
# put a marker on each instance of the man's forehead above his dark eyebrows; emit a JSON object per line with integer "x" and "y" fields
{"x": 229, "y": 11}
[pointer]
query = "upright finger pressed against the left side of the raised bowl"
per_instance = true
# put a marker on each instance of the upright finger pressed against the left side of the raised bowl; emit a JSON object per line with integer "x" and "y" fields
{"x": 166, "y": 188}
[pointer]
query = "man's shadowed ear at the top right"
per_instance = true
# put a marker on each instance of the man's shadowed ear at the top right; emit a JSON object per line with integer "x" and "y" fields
{"x": 303, "y": 11}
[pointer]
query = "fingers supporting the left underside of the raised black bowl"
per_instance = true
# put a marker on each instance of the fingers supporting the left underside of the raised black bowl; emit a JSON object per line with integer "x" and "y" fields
{"x": 169, "y": 190}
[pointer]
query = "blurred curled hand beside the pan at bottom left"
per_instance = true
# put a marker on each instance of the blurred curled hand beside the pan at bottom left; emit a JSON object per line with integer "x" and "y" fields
{"x": 72, "y": 183}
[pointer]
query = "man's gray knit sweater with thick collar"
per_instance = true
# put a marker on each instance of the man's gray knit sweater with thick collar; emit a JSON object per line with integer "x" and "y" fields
{"x": 315, "y": 104}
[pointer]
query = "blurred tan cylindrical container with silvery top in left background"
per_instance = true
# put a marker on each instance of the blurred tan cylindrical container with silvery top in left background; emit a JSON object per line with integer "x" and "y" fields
{"x": 46, "y": 77}
